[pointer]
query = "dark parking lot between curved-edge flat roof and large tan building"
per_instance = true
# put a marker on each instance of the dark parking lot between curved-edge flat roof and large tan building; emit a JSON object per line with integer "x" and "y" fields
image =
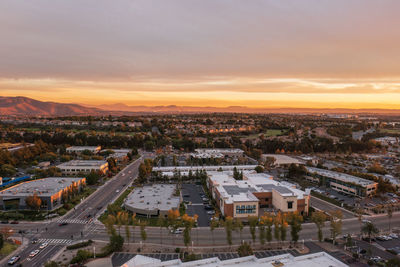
{"x": 191, "y": 194}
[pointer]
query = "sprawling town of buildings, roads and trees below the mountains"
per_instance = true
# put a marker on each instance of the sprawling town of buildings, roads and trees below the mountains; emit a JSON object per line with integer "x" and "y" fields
{"x": 202, "y": 188}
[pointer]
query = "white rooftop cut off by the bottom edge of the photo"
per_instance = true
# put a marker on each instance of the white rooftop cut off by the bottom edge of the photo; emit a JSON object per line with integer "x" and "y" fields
{"x": 320, "y": 259}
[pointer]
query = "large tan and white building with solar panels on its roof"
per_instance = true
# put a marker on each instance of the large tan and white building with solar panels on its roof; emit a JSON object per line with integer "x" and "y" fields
{"x": 257, "y": 192}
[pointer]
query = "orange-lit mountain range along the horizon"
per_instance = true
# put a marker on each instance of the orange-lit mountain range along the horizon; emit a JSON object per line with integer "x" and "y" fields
{"x": 24, "y": 106}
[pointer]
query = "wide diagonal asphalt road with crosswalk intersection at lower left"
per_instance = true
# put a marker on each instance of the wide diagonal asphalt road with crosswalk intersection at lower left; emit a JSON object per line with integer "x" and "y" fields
{"x": 79, "y": 224}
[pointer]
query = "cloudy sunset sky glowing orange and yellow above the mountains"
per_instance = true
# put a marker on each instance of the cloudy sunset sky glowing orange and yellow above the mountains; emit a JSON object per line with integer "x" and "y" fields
{"x": 299, "y": 53}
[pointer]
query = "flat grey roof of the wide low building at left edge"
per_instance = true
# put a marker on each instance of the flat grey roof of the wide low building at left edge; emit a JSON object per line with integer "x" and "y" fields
{"x": 42, "y": 187}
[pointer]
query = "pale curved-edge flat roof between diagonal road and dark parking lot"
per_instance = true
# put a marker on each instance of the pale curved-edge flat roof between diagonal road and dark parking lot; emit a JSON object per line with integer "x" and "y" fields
{"x": 155, "y": 197}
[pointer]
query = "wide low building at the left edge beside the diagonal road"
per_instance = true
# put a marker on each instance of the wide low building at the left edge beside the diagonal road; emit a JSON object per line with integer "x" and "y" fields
{"x": 49, "y": 190}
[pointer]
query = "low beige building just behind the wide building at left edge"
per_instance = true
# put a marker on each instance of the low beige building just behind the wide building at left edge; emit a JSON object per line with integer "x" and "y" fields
{"x": 75, "y": 167}
